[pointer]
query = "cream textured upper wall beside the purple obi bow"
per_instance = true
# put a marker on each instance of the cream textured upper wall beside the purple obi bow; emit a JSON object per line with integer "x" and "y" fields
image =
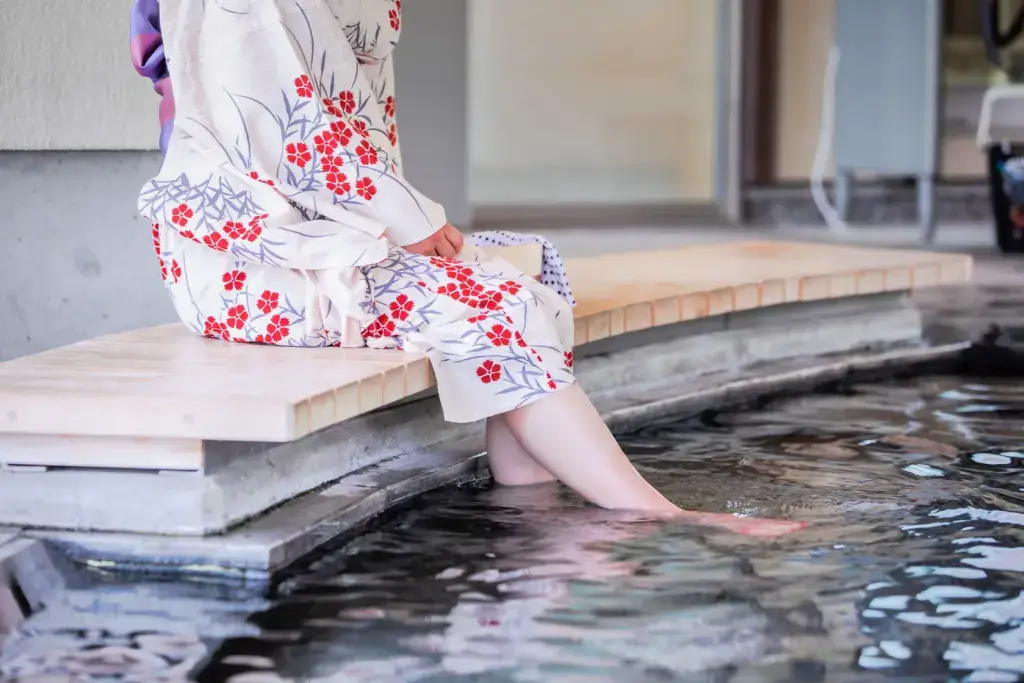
{"x": 67, "y": 81}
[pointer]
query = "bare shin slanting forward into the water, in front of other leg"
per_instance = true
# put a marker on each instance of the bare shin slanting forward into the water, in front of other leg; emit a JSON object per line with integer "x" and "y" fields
{"x": 567, "y": 437}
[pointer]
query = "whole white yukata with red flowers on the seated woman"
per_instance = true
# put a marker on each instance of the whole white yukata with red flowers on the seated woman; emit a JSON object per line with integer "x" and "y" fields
{"x": 281, "y": 209}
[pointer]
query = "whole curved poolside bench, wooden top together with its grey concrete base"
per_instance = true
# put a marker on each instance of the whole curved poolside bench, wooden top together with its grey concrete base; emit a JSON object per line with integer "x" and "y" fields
{"x": 160, "y": 449}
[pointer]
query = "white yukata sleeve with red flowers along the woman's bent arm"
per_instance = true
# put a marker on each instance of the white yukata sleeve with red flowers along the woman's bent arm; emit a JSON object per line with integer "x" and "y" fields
{"x": 293, "y": 107}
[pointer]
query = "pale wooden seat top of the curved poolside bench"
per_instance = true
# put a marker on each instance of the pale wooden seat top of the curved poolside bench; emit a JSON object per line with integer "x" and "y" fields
{"x": 150, "y": 399}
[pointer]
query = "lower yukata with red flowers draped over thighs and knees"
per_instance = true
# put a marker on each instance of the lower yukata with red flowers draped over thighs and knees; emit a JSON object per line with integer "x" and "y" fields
{"x": 489, "y": 333}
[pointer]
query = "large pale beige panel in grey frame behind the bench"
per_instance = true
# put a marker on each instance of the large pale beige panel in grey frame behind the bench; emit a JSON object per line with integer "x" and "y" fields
{"x": 592, "y": 101}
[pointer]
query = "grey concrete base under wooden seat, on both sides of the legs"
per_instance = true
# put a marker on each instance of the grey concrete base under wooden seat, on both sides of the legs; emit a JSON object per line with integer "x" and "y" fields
{"x": 244, "y": 481}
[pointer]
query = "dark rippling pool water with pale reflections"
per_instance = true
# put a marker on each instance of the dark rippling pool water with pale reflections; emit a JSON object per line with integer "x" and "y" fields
{"x": 912, "y": 571}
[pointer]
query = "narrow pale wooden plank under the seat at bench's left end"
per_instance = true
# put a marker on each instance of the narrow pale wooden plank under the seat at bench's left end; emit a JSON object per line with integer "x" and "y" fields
{"x": 100, "y": 452}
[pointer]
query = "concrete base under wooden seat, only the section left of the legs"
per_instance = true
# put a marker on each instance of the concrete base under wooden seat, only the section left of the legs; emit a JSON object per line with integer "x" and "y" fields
{"x": 245, "y": 480}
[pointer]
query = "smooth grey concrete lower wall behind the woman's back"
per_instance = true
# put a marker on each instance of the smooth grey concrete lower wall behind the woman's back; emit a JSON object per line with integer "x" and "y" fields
{"x": 76, "y": 262}
